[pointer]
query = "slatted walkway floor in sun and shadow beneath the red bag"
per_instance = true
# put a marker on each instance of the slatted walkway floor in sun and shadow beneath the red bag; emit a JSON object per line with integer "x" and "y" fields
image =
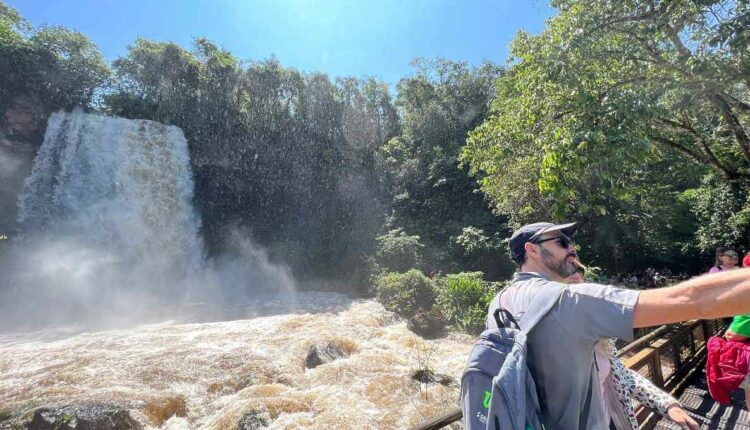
{"x": 696, "y": 400}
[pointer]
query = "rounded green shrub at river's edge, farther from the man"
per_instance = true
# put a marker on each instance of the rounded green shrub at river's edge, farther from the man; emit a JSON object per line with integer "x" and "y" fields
{"x": 405, "y": 293}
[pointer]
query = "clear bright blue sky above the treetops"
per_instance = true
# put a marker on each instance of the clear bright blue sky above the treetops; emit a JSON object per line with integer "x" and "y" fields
{"x": 338, "y": 37}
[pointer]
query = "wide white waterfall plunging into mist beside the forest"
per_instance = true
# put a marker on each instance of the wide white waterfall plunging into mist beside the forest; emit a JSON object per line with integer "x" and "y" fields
{"x": 108, "y": 205}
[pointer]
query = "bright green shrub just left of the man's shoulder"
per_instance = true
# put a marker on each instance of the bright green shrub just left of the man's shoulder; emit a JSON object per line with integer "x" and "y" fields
{"x": 464, "y": 298}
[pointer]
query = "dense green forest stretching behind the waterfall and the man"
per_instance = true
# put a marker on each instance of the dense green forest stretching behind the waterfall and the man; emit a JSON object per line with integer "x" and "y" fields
{"x": 630, "y": 117}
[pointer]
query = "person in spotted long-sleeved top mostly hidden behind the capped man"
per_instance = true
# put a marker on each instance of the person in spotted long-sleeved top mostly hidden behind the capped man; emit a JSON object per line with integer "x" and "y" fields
{"x": 622, "y": 385}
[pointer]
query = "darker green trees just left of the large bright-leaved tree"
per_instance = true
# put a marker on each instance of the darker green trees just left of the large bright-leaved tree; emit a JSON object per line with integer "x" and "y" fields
{"x": 431, "y": 195}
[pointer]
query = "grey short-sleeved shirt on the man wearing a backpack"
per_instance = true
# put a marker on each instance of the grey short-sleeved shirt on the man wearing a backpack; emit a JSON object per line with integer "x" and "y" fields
{"x": 561, "y": 346}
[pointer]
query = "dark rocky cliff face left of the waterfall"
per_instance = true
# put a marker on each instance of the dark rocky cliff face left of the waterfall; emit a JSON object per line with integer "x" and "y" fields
{"x": 22, "y": 130}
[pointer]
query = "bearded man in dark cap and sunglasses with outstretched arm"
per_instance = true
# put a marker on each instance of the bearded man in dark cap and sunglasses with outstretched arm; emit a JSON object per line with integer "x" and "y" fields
{"x": 561, "y": 346}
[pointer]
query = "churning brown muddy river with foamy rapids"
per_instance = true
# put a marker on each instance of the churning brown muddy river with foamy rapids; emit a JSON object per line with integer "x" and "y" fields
{"x": 183, "y": 374}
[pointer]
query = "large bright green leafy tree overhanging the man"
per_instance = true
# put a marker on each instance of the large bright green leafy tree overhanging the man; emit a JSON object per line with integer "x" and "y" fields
{"x": 614, "y": 111}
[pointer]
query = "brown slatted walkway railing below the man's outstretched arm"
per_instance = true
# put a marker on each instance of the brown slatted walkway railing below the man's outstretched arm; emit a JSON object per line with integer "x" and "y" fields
{"x": 668, "y": 356}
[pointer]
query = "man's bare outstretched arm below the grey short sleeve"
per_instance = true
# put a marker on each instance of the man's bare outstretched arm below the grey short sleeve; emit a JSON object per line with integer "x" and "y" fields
{"x": 722, "y": 294}
